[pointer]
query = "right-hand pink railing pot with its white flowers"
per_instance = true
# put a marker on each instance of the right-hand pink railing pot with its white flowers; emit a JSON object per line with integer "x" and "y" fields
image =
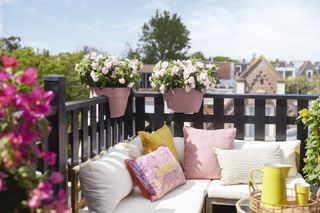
{"x": 183, "y": 82}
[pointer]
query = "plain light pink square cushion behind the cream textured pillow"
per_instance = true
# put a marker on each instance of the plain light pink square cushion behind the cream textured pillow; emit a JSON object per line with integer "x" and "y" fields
{"x": 200, "y": 161}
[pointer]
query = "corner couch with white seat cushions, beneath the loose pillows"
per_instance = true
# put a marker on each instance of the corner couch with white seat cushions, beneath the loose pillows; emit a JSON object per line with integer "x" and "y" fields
{"x": 197, "y": 195}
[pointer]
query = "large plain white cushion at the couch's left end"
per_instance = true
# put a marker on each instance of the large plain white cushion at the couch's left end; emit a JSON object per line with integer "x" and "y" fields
{"x": 104, "y": 182}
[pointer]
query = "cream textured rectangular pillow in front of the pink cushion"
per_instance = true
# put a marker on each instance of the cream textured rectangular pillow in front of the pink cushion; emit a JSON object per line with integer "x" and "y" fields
{"x": 236, "y": 164}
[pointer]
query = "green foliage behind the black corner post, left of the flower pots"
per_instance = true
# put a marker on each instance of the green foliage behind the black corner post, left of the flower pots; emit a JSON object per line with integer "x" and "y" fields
{"x": 63, "y": 64}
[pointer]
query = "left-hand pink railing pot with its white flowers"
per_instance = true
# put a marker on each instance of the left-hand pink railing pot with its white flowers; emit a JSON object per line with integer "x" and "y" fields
{"x": 108, "y": 76}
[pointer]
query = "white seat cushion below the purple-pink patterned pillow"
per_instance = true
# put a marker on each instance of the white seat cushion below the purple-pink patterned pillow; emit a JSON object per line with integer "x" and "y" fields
{"x": 185, "y": 198}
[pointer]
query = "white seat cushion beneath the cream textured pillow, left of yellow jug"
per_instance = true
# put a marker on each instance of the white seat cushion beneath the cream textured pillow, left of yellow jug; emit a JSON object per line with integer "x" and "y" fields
{"x": 239, "y": 191}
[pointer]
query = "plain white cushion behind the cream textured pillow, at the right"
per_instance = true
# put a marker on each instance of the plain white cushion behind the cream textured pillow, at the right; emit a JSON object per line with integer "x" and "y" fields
{"x": 290, "y": 151}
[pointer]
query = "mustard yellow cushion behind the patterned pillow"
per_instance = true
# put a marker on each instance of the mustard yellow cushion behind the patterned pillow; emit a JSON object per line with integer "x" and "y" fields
{"x": 151, "y": 141}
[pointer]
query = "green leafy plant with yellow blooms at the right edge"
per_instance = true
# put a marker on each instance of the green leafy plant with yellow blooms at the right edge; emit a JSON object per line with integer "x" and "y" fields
{"x": 310, "y": 117}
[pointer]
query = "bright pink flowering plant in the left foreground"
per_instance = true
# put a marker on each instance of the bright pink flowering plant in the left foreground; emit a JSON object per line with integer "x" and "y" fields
{"x": 23, "y": 110}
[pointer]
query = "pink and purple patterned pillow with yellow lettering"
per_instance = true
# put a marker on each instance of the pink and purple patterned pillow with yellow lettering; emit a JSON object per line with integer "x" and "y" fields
{"x": 156, "y": 173}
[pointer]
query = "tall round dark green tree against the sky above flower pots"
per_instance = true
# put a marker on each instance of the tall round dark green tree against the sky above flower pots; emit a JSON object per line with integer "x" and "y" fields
{"x": 164, "y": 37}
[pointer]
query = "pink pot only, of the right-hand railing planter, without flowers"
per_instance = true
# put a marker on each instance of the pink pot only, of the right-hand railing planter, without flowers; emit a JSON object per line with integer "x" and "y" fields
{"x": 180, "y": 100}
